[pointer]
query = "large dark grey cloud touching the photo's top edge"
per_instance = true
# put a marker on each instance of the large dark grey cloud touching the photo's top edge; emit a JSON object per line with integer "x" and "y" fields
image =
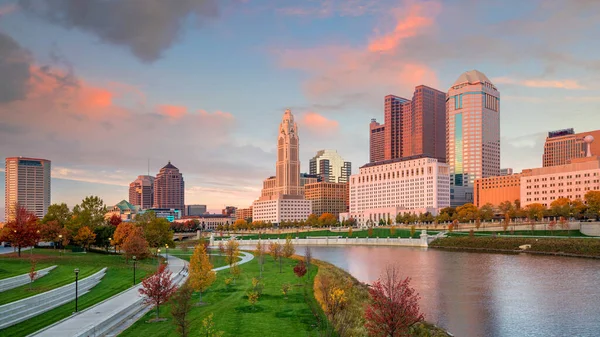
{"x": 146, "y": 27}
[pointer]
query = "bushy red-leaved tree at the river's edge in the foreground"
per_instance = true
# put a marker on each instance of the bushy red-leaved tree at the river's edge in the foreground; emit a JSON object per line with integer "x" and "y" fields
{"x": 394, "y": 306}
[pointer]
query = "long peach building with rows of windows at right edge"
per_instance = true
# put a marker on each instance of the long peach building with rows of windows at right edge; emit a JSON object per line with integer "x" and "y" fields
{"x": 572, "y": 181}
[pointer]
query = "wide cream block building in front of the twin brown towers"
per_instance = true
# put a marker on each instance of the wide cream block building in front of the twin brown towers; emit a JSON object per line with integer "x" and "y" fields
{"x": 382, "y": 190}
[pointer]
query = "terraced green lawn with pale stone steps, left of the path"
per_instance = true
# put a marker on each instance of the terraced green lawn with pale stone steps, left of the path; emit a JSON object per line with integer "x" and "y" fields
{"x": 119, "y": 276}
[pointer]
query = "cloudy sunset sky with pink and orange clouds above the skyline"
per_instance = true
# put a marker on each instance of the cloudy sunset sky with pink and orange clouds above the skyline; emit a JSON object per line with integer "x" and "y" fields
{"x": 102, "y": 87}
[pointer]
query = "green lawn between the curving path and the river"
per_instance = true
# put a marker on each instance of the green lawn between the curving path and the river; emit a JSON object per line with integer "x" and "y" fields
{"x": 273, "y": 315}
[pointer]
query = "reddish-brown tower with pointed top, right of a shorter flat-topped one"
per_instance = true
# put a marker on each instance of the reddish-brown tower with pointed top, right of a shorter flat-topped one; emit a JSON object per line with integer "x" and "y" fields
{"x": 169, "y": 189}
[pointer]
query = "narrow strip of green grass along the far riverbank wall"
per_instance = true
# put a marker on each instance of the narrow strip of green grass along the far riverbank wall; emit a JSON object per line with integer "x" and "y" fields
{"x": 377, "y": 232}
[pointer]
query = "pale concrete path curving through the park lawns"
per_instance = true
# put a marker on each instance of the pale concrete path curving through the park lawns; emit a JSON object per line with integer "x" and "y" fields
{"x": 114, "y": 315}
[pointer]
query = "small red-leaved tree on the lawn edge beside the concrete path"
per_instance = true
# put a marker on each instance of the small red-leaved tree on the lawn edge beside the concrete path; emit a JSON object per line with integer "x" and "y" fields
{"x": 158, "y": 288}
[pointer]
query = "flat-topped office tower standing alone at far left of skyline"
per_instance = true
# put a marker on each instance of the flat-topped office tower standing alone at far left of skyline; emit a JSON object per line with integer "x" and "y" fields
{"x": 27, "y": 182}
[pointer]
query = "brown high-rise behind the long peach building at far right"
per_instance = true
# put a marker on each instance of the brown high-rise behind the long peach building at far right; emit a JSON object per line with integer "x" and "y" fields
{"x": 563, "y": 145}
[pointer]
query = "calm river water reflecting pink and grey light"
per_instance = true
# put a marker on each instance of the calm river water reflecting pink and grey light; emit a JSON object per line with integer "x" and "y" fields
{"x": 475, "y": 294}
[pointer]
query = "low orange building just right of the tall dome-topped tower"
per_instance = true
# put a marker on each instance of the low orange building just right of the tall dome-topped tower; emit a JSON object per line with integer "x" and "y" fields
{"x": 495, "y": 190}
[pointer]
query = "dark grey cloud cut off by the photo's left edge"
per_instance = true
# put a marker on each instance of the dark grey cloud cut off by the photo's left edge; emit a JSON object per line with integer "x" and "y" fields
{"x": 15, "y": 63}
